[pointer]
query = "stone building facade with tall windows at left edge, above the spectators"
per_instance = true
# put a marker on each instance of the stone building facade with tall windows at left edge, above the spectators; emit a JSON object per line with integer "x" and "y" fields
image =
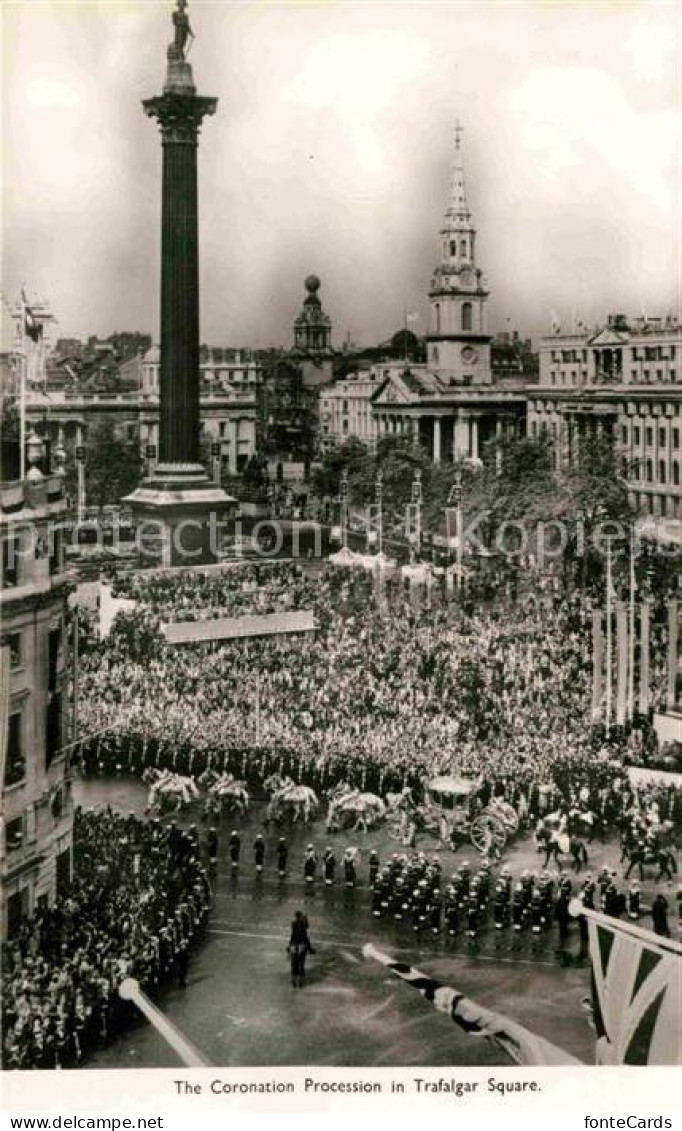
{"x": 36, "y": 862}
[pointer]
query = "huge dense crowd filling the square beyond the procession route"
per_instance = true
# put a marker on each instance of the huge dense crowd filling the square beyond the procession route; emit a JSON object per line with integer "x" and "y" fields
{"x": 390, "y": 692}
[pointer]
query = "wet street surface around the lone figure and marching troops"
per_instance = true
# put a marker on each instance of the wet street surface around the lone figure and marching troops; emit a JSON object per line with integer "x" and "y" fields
{"x": 239, "y": 1007}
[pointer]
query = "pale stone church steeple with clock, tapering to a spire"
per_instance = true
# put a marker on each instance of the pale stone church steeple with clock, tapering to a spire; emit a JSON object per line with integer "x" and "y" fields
{"x": 459, "y": 346}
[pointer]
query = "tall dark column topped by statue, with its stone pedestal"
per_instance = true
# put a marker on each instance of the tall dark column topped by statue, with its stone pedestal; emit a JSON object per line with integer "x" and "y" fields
{"x": 179, "y": 511}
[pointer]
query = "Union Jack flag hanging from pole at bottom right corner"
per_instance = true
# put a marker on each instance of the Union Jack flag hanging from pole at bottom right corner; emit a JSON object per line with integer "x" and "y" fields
{"x": 636, "y": 995}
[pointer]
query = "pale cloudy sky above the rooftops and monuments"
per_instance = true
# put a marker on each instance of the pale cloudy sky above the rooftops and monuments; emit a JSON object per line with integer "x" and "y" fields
{"x": 331, "y": 153}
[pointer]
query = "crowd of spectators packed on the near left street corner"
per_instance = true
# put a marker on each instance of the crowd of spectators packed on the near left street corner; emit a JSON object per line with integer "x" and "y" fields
{"x": 140, "y": 900}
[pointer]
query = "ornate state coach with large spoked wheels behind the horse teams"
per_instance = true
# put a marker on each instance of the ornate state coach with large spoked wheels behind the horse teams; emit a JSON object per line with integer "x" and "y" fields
{"x": 448, "y": 815}
